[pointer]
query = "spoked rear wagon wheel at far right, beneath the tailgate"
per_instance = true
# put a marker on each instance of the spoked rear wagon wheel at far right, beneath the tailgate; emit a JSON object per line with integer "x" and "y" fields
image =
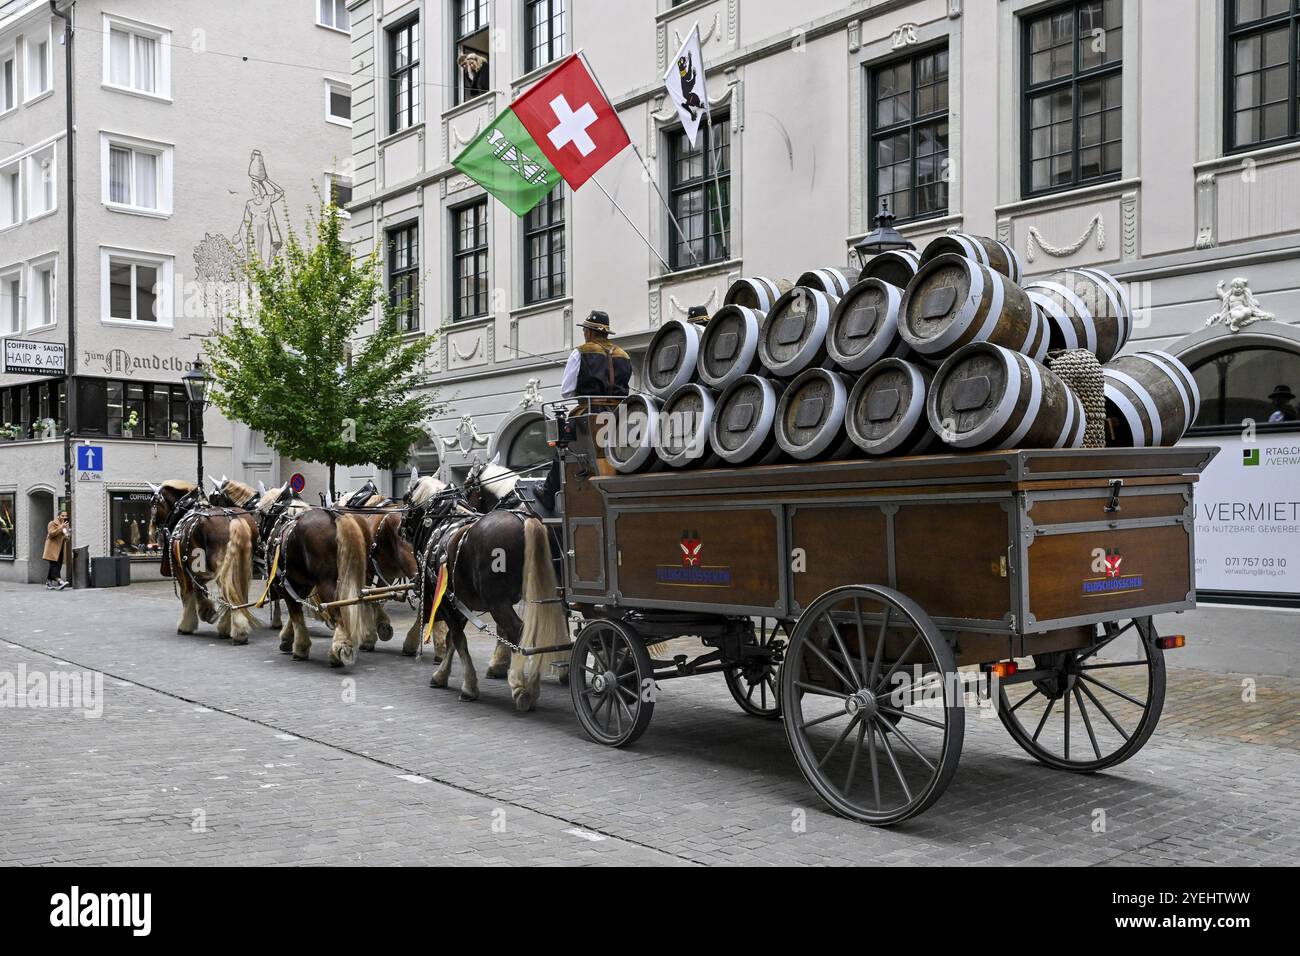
{"x": 1094, "y": 708}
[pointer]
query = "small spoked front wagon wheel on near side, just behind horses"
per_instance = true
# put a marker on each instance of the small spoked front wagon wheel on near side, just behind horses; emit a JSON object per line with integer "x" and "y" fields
{"x": 612, "y": 684}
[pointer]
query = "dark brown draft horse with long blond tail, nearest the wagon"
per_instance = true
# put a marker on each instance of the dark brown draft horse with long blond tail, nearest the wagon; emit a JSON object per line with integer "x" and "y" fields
{"x": 492, "y": 563}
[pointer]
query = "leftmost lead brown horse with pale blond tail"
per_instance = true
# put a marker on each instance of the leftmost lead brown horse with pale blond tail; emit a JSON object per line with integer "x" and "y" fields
{"x": 203, "y": 544}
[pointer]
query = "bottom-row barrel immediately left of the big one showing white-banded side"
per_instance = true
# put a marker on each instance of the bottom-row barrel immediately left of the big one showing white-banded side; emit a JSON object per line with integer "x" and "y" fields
{"x": 887, "y": 410}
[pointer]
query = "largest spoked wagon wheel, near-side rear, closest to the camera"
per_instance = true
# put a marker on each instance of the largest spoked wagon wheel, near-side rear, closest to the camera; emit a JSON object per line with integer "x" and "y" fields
{"x": 873, "y": 710}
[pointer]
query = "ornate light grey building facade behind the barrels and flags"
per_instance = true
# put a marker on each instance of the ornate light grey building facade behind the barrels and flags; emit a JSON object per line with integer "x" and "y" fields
{"x": 1158, "y": 140}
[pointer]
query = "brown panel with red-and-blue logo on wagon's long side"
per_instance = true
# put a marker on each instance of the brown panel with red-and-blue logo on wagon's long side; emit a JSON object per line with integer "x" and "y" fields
{"x": 725, "y": 559}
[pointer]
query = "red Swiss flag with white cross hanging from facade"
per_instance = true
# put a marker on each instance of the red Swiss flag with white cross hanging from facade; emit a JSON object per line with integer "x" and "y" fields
{"x": 571, "y": 122}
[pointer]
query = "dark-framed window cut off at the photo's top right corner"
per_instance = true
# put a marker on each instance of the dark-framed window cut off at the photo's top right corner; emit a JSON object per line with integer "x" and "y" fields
{"x": 1263, "y": 70}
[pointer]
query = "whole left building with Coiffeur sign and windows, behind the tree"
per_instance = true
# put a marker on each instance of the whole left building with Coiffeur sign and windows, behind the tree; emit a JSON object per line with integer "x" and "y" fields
{"x": 201, "y": 133}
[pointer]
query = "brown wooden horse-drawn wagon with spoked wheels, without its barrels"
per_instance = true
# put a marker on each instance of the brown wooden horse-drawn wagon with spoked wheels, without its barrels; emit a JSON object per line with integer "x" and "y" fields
{"x": 868, "y": 602}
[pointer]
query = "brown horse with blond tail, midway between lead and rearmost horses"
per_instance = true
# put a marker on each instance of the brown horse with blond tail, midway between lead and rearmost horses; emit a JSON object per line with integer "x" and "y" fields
{"x": 318, "y": 551}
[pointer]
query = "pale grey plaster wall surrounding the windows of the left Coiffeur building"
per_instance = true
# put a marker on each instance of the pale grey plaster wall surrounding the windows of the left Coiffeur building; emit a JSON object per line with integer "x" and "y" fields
{"x": 245, "y": 76}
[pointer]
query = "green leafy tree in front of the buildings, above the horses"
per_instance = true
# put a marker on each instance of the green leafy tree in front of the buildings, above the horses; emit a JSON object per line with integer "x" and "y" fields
{"x": 292, "y": 365}
